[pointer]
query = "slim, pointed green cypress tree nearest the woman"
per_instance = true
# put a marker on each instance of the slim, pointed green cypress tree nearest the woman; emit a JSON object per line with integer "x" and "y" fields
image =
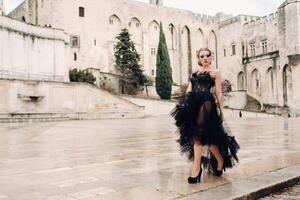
{"x": 163, "y": 78}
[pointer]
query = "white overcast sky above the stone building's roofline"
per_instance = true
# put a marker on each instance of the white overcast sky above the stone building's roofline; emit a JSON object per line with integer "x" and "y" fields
{"x": 210, "y": 7}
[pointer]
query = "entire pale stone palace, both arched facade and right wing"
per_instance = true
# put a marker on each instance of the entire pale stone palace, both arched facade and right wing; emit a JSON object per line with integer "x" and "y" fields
{"x": 258, "y": 55}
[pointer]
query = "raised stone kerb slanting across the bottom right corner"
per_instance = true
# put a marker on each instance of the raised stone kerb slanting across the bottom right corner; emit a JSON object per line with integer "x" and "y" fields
{"x": 251, "y": 187}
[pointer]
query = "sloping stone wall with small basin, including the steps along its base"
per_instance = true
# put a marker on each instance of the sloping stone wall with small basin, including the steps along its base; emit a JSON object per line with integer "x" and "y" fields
{"x": 62, "y": 101}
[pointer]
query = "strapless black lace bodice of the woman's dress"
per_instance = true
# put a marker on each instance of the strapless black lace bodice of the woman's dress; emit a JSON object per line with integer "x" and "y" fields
{"x": 202, "y": 82}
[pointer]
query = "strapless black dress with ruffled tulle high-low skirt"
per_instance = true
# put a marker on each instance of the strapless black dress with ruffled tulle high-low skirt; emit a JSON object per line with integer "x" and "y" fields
{"x": 197, "y": 117}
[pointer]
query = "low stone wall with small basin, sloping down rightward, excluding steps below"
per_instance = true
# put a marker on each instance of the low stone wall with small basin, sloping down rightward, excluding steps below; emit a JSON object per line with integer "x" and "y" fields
{"x": 59, "y": 97}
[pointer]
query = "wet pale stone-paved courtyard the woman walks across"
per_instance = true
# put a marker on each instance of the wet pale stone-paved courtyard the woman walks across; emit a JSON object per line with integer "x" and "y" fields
{"x": 128, "y": 158}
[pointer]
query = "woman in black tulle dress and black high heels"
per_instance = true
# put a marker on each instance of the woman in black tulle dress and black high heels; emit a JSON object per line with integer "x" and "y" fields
{"x": 199, "y": 118}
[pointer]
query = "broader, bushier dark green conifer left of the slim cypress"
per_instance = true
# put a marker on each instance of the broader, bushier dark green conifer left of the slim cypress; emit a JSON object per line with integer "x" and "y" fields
{"x": 127, "y": 60}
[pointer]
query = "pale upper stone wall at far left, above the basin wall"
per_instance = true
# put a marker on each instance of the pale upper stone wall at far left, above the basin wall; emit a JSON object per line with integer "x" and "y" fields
{"x": 31, "y": 52}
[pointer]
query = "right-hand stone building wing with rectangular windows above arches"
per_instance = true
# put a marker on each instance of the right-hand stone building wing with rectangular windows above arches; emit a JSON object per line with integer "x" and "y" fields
{"x": 260, "y": 55}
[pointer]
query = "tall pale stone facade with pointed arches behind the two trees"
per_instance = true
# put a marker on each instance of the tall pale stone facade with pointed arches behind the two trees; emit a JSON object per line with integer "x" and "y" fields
{"x": 93, "y": 26}
